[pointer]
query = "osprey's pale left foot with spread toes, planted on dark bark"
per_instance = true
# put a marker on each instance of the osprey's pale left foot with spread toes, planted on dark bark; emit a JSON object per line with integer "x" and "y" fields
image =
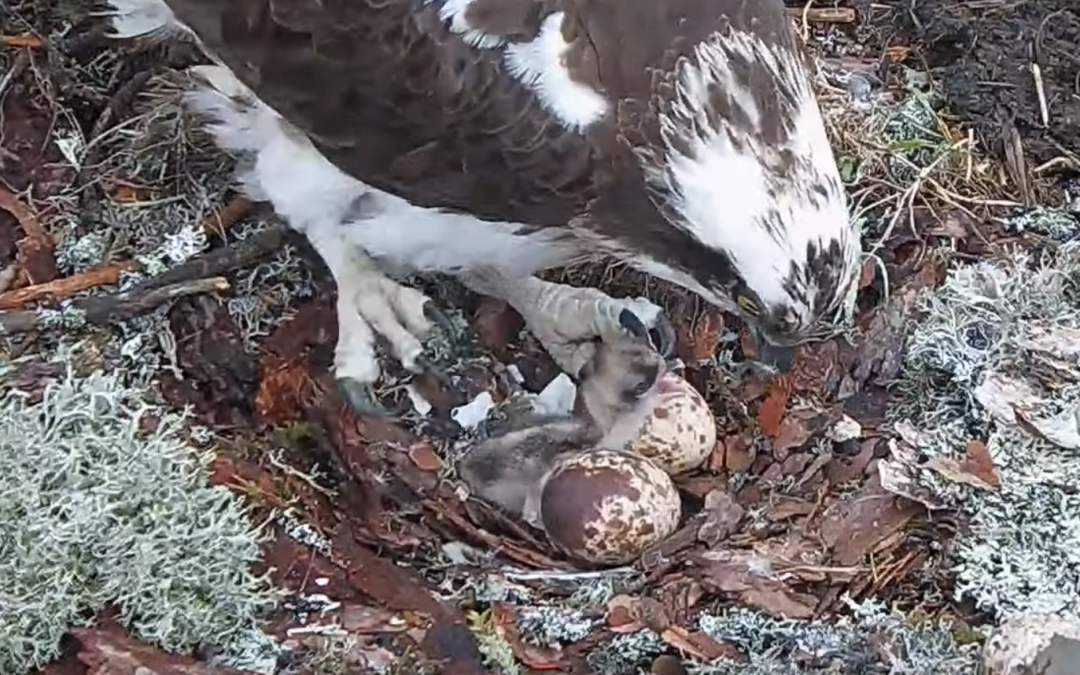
{"x": 372, "y": 308}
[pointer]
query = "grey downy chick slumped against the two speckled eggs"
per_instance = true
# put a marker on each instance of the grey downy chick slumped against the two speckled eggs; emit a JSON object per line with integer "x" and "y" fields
{"x": 618, "y": 393}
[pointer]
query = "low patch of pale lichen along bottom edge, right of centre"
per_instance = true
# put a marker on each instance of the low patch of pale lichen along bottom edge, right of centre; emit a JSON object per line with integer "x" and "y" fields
{"x": 874, "y": 641}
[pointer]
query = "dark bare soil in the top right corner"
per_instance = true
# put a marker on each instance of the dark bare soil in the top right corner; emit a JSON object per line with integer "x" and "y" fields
{"x": 982, "y": 51}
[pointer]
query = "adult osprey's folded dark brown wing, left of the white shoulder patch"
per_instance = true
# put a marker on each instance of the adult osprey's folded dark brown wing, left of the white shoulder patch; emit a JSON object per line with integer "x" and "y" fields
{"x": 393, "y": 98}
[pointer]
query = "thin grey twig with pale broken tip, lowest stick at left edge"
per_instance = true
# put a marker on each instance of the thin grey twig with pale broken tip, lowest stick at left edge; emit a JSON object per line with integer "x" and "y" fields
{"x": 111, "y": 309}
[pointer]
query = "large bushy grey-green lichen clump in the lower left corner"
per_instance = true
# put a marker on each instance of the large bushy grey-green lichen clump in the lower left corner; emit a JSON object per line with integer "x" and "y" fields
{"x": 103, "y": 504}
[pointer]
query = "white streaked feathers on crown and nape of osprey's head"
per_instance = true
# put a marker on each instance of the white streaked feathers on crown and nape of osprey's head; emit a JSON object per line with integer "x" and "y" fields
{"x": 723, "y": 193}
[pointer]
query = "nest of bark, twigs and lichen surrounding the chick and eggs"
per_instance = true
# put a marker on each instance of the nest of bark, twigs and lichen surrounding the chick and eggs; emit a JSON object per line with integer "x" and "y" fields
{"x": 807, "y": 521}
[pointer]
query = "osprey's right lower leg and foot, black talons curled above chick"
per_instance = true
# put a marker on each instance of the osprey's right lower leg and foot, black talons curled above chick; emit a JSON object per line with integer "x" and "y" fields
{"x": 568, "y": 320}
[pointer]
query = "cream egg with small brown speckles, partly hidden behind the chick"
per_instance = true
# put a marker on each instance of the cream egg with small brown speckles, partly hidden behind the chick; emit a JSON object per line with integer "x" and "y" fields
{"x": 681, "y": 434}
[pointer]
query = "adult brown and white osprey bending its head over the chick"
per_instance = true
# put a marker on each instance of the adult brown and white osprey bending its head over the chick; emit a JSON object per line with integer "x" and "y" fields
{"x": 496, "y": 139}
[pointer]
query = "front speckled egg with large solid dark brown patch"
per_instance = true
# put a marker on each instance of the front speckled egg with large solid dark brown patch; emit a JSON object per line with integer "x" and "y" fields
{"x": 606, "y": 507}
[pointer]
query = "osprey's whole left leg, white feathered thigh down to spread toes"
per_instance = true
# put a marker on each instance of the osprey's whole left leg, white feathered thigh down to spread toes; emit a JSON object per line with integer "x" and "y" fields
{"x": 317, "y": 199}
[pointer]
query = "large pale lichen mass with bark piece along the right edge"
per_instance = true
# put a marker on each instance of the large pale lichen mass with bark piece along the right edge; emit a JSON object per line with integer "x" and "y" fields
{"x": 996, "y": 359}
